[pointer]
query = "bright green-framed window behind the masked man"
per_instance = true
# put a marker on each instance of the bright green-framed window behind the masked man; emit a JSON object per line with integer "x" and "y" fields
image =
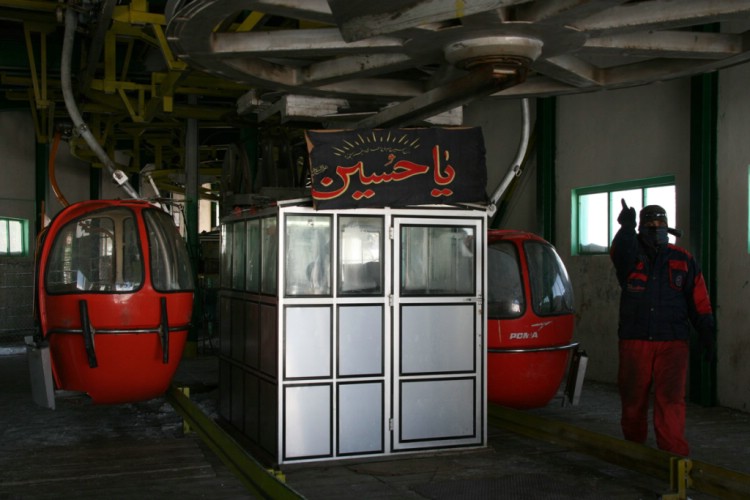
{"x": 595, "y": 210}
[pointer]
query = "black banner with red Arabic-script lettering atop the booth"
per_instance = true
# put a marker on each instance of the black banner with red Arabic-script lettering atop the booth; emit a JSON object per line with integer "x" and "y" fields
{"x": 396, "y": 167}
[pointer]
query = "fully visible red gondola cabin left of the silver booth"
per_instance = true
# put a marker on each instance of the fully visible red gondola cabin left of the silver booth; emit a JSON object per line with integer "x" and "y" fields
{"x": 115, "y": 297}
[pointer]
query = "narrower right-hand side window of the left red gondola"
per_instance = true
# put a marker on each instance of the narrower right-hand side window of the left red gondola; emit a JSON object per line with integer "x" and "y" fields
{"x": 171, "y": 269}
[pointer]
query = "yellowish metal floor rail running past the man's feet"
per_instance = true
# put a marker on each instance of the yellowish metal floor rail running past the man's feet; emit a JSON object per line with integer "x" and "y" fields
{"x": 682, "y": 472}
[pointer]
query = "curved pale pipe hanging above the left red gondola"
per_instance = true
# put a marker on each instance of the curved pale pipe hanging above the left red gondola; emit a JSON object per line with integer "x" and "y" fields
{"x": 71, "y": 23}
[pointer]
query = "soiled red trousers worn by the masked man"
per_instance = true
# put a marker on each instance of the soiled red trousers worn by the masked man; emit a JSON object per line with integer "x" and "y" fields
{"x": 665, "y": 364}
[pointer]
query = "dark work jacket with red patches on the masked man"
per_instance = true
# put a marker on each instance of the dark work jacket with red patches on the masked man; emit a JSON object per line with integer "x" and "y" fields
{"x": 660, "y": 295}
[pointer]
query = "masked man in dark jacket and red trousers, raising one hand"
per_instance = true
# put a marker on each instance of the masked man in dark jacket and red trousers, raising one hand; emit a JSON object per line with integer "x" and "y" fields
{"x": 663, "y": 292}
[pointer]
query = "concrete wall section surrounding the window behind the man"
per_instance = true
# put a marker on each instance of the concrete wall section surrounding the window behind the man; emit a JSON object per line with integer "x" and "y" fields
{"x": 611, "y": 137}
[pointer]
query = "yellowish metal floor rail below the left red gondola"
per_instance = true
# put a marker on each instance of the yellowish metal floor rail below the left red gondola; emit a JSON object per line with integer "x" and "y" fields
{"x": 256, "y": 478}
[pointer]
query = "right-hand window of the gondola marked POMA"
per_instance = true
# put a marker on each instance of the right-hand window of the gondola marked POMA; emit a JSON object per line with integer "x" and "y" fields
{"x": 551, "y": 291}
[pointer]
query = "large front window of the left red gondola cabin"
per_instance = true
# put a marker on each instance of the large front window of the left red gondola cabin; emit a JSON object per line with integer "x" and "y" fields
{"x": 97, "y": 253}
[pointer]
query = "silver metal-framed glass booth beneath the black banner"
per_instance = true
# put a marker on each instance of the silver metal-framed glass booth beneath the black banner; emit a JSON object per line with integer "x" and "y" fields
{"x": 353, "y": 332}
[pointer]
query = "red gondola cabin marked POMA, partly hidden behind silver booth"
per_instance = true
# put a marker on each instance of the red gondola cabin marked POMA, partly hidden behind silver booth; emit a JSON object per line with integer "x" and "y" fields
{"x": 531, "y": 320}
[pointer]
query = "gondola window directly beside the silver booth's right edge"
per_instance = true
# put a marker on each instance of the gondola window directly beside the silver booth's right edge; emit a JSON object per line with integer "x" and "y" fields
{"x": 505, "y": 294}
